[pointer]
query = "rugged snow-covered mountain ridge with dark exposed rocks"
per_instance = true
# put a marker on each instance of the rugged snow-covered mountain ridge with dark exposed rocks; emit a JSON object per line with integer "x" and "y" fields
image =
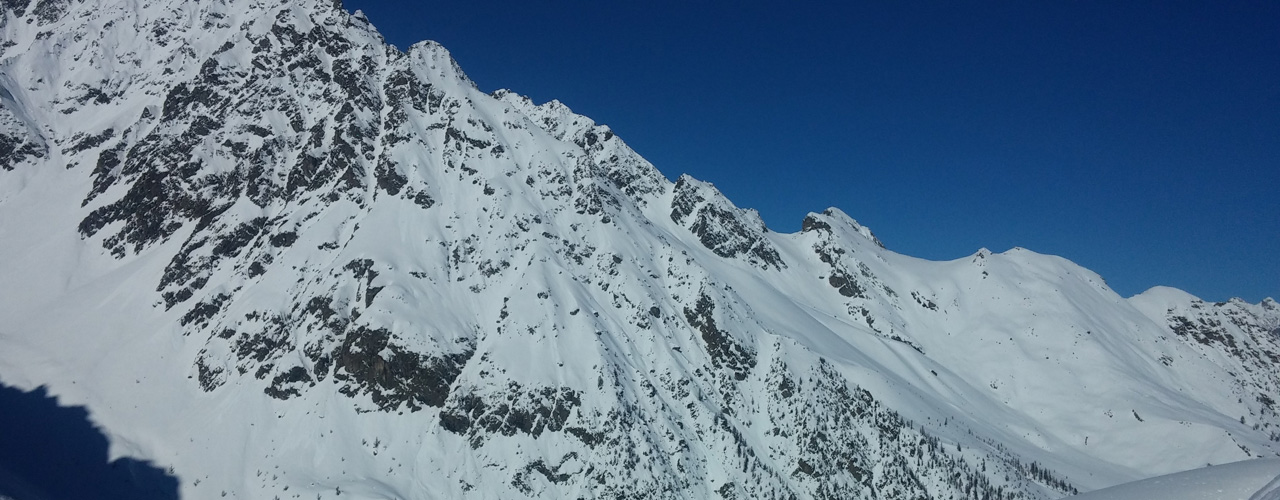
{"x": 285, "y": 259}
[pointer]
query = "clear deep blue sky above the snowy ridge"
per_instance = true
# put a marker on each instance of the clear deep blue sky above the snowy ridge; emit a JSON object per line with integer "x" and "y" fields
{"x": 1137, "y": 139}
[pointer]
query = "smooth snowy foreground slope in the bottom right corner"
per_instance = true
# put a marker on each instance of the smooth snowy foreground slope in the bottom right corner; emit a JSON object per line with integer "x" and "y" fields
{"x": 1247, "y": 480}
